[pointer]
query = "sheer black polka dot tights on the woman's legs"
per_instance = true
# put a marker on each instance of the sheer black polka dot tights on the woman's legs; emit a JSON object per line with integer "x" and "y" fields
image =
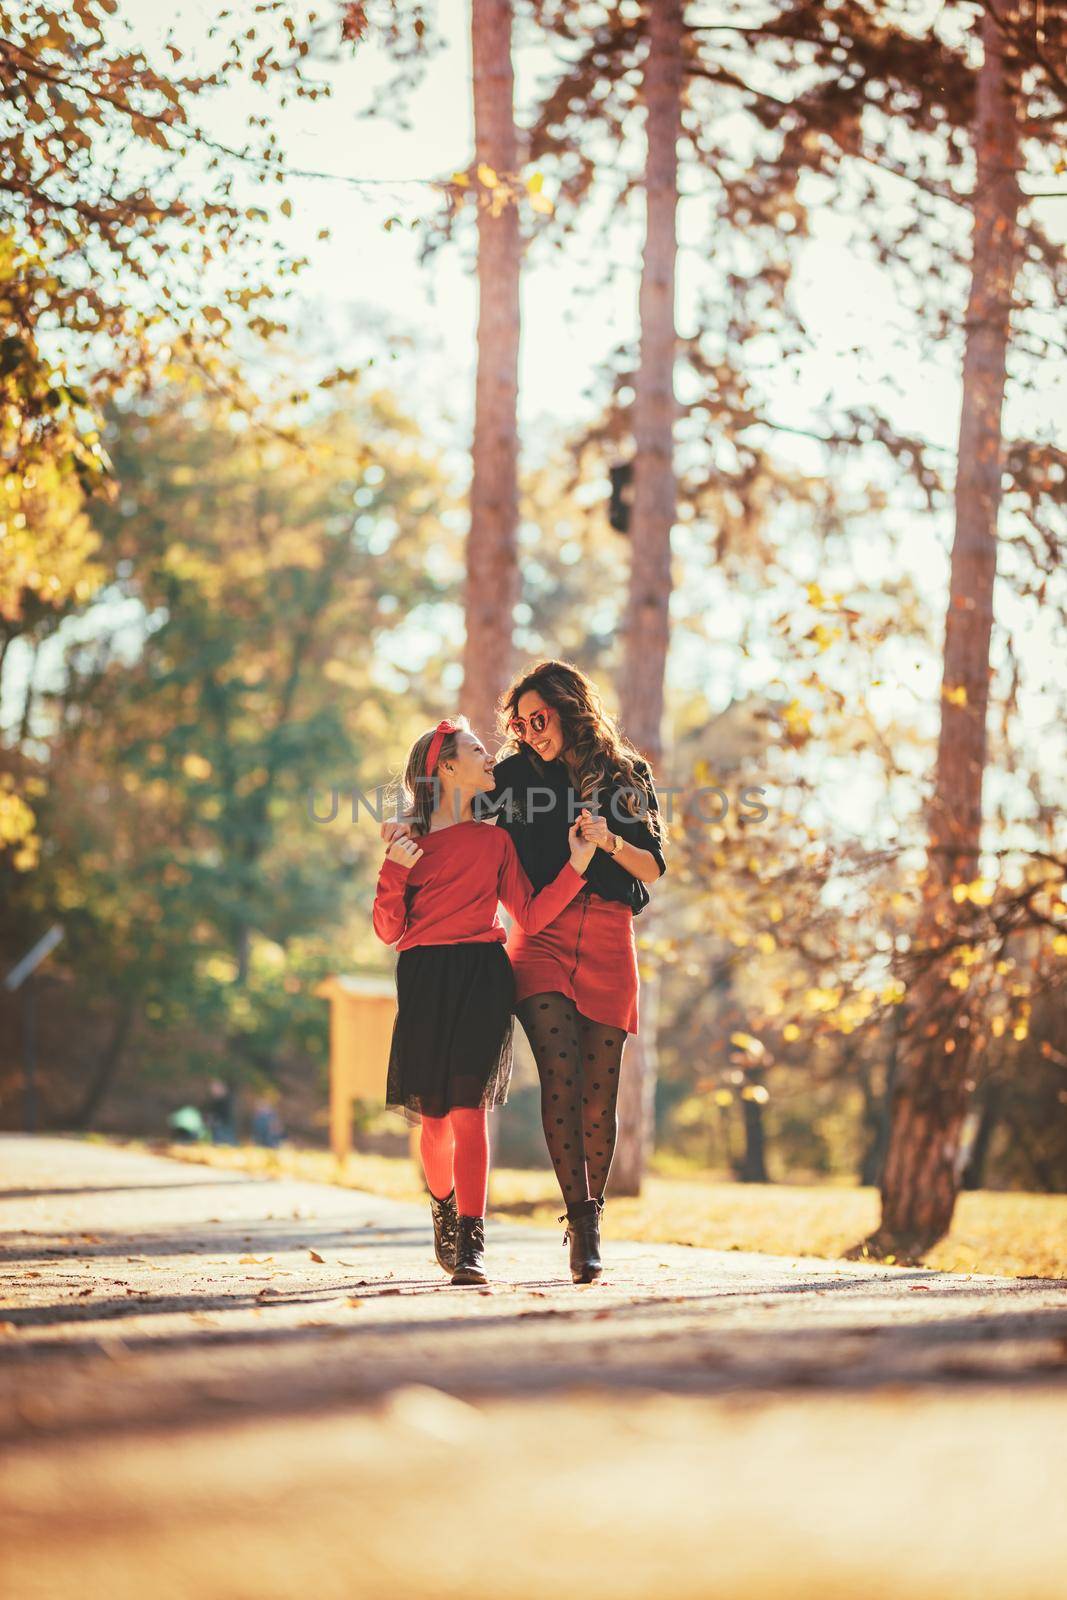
{"x": 578, "y": 1065}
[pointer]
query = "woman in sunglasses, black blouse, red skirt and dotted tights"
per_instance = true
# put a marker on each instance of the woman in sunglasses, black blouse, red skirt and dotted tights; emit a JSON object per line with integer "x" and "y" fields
{"x": 577, "y": 986}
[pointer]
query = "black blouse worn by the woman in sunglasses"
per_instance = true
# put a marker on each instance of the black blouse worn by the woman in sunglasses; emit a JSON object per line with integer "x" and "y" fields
{"x": 530, "y": 801}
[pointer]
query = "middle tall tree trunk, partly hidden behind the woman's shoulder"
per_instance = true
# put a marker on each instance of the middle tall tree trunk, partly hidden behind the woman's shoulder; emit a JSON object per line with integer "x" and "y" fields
{"x": 647, "y": 631}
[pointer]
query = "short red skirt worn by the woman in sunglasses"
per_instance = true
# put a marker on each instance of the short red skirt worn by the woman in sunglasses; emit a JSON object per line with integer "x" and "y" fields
{"x": 588, "y": 954}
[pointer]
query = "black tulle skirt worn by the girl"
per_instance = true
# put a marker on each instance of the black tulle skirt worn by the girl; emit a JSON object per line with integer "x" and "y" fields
{"x": 452, "y": 1042}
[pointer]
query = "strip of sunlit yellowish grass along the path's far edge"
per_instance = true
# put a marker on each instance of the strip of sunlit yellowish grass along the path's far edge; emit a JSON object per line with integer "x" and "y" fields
{"x": 1009, "y": 1234}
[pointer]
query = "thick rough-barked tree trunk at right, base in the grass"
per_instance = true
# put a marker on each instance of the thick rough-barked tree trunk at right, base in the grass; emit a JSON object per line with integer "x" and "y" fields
{"x": 921, "y": 1180}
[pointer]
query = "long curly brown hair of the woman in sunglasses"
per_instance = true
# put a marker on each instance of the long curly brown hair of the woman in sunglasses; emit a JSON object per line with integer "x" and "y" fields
{"x": 597, "y": 751}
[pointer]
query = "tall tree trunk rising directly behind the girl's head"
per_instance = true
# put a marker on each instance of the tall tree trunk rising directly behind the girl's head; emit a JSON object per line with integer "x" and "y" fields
{"x": 492, "y": 546}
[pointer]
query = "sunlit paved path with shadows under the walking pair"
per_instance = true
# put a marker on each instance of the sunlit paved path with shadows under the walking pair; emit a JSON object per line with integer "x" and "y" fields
{"x": 226, "y": 1386}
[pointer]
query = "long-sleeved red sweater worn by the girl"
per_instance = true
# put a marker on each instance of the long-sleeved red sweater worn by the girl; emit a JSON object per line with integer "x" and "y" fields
{"x": 452, "y": 894}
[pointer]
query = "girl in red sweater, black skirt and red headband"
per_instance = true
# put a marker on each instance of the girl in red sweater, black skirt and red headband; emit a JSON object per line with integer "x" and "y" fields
{"x": 452, "y": 1049}
